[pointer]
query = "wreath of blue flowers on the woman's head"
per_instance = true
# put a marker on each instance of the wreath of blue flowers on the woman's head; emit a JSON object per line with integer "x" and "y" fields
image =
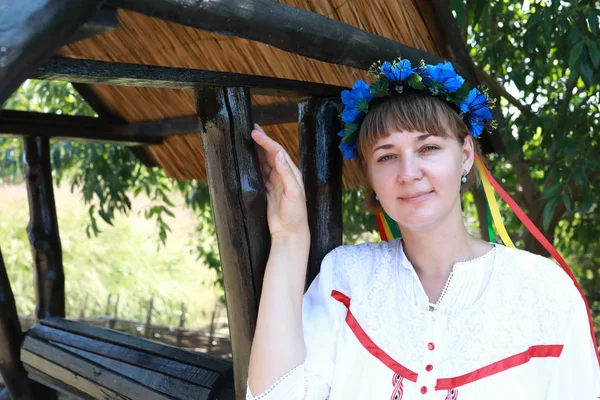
{"x": 393, "y": 77}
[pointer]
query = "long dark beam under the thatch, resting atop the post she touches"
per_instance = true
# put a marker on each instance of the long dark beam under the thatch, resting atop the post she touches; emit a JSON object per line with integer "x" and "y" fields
{"x": 124, "y": 74}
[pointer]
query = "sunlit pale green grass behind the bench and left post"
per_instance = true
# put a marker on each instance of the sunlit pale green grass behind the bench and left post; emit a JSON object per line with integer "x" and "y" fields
{"x": 125, "y": 260}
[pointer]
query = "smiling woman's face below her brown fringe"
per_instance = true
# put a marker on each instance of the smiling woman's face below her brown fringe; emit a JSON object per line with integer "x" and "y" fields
{"x": 417, "y": 176}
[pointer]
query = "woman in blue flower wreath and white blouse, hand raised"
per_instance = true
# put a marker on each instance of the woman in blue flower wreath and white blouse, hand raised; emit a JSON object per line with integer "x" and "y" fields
{"x": 437, "y": 314}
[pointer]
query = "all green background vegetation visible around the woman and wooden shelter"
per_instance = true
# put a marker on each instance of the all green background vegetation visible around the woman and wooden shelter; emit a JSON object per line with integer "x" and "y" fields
{"x": 130, "y": 230}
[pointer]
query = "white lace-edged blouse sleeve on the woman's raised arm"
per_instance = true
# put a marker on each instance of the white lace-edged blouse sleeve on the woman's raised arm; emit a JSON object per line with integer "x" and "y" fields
{"x": 322, "y": 318}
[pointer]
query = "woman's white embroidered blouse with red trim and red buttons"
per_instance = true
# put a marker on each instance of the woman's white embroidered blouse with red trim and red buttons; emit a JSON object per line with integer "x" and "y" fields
{"x": 511, "y": 325}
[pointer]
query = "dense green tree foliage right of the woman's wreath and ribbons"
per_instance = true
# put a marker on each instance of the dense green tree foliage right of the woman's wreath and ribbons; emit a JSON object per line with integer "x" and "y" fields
{"x": 543, "y": 59}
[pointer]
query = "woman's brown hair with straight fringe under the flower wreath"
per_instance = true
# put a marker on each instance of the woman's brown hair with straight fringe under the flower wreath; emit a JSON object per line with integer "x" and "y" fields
{"x": 412, "y": 111}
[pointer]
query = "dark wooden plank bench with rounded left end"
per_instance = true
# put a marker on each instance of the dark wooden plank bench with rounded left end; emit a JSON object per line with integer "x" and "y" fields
{"x": 89, "y": 362}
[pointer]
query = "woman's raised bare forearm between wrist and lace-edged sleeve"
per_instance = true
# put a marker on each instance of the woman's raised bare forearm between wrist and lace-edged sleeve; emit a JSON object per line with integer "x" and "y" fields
{"x": 278, "y": 344}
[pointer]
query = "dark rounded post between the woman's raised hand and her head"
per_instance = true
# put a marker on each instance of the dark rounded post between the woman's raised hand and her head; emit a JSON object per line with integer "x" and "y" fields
{"x": 321, "y": 166}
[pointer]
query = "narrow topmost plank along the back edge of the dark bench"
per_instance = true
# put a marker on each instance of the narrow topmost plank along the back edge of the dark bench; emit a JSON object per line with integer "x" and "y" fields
{"x": 135, "y": 357}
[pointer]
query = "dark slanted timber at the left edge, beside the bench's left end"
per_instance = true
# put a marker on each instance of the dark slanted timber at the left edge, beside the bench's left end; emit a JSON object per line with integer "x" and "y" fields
{"x": 11, "y": 368}
